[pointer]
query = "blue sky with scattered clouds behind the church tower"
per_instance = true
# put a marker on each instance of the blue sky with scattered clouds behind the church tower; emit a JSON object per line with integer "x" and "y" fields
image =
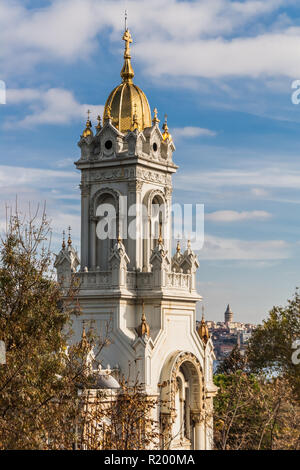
{"x": 222, "y": 70}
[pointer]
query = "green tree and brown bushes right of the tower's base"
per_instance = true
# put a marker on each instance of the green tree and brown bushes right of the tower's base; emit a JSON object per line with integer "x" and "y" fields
{"x": 257, "y": 406}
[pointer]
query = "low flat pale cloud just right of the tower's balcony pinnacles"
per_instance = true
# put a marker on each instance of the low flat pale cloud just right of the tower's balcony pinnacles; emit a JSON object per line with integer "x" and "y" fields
{"x": 217, "y": 248}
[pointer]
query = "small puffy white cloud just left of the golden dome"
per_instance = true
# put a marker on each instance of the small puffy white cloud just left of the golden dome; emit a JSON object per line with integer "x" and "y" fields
{"x": 53, "y": 106}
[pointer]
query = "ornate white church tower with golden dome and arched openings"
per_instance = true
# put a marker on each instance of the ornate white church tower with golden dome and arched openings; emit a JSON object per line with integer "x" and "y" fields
{"x": 132, "y": 282}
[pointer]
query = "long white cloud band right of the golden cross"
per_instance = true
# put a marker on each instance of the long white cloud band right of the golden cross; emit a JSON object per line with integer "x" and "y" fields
{"x": 265, "y": 55}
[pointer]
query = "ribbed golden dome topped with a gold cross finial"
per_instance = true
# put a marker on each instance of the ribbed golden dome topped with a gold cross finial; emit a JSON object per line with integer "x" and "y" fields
{"x": 127, "y": 105}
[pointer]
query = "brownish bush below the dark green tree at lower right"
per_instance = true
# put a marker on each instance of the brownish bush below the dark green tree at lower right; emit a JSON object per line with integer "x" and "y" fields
{"x": 252, "y": 413}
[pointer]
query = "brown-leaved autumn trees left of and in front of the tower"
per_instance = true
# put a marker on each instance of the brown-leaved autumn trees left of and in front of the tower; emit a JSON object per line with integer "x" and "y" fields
{"x": 40, "y": 404}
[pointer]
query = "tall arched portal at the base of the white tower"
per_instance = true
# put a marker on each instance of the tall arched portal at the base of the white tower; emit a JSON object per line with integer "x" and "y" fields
{"x": 181, "y": 396}
